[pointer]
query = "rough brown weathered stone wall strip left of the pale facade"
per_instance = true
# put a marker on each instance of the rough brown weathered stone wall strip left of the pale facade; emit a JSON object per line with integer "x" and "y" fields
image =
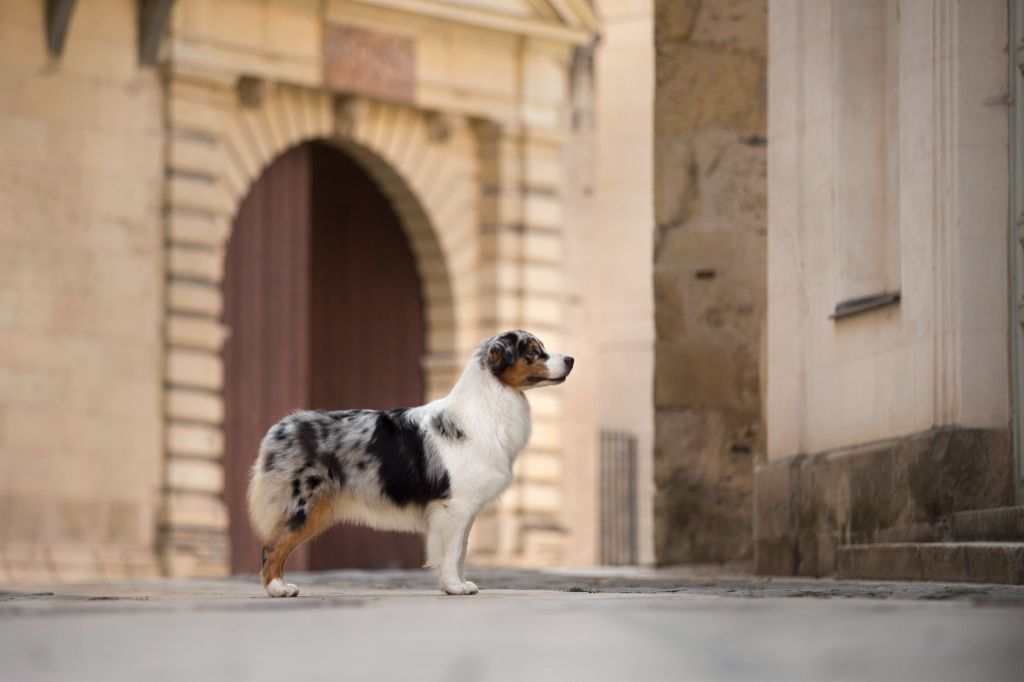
{"x": 710, "y": 282}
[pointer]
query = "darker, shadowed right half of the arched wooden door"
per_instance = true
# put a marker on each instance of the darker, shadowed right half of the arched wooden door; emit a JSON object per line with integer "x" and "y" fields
{"x": 368, "y": 337}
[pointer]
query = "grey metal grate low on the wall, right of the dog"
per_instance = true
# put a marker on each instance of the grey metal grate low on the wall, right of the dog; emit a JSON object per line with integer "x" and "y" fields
{"x": 619, "y": 498}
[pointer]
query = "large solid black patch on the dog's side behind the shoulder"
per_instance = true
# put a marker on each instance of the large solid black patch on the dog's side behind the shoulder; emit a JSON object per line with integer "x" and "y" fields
{"x": 399, "y": 446}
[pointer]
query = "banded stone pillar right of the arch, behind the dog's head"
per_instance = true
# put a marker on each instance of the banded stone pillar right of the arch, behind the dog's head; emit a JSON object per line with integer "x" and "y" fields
{"x": 522, "y": 255}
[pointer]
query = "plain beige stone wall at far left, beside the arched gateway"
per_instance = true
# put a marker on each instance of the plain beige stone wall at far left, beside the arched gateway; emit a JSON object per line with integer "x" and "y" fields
{"x": 80, "y": 289}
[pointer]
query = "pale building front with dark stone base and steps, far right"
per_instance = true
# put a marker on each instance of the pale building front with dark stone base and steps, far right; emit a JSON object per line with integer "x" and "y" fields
{"x": 888, "y": 401}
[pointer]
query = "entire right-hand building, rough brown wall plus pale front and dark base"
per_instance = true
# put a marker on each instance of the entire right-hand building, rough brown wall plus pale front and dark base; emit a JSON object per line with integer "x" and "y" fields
{"x": 864, "y": 355}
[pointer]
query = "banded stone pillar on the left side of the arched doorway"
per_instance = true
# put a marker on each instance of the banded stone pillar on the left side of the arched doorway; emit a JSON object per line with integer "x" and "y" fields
{"x": 193, "y": 526}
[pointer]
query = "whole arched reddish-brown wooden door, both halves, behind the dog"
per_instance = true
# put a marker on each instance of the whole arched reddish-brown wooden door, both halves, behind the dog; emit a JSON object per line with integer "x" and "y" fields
{"x": 323, "y": 303}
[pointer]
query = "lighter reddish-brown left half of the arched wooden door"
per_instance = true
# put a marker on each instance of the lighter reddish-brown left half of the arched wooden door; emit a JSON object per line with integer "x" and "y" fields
{"x": 267, "y": 311}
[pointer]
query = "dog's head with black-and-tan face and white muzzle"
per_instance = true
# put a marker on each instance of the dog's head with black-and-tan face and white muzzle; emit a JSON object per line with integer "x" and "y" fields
{"x": 520, "y": 361}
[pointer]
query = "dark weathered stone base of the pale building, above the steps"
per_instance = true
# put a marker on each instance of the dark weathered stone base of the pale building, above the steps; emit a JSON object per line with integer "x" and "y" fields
{"x": 807, "y": 506}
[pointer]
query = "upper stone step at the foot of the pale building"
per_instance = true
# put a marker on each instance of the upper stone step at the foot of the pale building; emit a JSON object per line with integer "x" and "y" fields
{"x": 1000, "y": 525}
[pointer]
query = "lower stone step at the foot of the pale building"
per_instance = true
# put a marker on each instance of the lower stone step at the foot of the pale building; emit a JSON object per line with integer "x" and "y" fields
{"x": 954, "y": 563}
